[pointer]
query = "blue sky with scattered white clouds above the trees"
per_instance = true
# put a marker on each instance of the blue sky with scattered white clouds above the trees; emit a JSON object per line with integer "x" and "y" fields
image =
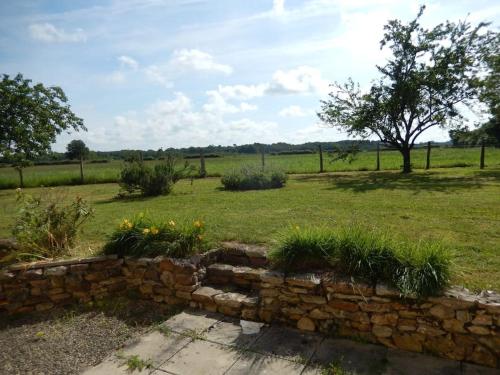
{"x": 145, "y": 74}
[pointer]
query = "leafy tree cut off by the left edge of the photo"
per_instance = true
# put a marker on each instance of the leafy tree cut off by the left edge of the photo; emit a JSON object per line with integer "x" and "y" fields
{"x": 31, "y": 116}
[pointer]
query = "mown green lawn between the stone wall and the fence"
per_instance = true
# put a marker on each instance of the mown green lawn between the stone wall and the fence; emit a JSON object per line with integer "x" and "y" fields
{"x": 459, "y": 206}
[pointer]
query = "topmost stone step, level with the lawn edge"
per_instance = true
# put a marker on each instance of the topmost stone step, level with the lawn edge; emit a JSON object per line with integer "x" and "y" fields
{"x": 239, "y": 254}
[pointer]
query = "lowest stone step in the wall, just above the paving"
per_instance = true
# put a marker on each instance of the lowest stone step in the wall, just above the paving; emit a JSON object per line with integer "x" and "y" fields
{"x": 229, "y": 301}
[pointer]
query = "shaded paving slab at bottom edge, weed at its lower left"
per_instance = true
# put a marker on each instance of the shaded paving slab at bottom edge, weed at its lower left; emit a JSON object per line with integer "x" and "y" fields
{"x": 354, "y": 357}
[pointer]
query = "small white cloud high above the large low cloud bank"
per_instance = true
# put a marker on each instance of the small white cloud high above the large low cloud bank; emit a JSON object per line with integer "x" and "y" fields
{"x": 194, "y": 59}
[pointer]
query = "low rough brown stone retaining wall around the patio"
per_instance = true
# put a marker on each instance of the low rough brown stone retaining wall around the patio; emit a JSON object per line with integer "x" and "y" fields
{"x": 457, "y": 325}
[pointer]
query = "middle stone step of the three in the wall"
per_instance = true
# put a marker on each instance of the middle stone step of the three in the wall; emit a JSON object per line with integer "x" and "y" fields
{"x": 242, "y": 276}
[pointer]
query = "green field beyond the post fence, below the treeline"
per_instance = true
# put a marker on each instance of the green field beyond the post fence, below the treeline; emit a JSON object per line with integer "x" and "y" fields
{"x": 390, "y": 160}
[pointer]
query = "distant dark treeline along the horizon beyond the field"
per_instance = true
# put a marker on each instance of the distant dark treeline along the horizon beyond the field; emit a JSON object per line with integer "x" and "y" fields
{"x": 212, "y": 151}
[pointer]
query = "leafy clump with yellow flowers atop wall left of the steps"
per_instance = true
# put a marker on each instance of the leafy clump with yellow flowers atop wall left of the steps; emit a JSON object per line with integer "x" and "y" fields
{"x": 142, "y": 237}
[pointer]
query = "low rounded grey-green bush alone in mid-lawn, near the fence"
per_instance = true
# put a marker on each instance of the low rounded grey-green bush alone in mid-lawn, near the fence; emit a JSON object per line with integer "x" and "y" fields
{"x": 249, "y": 178}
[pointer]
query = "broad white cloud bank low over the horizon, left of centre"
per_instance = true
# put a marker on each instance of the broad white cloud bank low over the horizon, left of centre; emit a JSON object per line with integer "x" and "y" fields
{"x": 175, "y": 123}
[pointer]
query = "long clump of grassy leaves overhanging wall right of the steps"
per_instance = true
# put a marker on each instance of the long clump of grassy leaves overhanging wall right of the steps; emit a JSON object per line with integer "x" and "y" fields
{"x": 414, "y": 269}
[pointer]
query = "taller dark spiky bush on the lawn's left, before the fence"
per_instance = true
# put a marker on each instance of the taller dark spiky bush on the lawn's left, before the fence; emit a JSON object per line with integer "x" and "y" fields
{"x": 151, "y": 181}
